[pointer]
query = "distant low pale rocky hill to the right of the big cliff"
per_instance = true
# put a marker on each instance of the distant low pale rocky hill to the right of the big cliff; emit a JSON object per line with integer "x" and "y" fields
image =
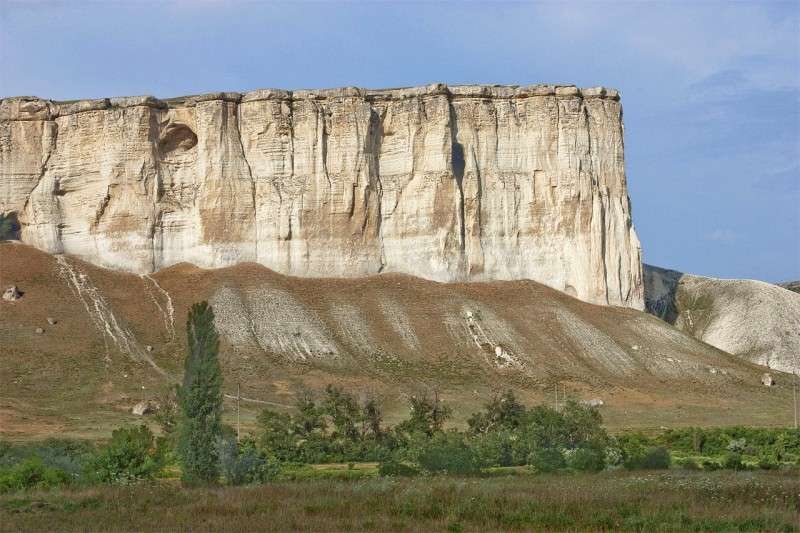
{"x": 752, "y": 319}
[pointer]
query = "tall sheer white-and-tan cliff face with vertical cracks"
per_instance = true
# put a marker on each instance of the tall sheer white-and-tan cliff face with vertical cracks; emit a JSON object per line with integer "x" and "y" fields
{"x": 446, "y": 183}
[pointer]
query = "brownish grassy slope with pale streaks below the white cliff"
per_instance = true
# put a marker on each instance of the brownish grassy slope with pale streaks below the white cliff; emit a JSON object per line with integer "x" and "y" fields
{"x": 73, "y": 380}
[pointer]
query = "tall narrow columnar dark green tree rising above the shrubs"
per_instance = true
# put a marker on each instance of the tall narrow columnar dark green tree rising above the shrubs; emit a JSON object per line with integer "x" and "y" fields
{"x": 200, "y": 398}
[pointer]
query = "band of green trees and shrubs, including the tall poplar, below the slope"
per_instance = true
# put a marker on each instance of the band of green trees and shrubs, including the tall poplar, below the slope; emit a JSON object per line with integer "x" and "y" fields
{"x": 338, "y": 427}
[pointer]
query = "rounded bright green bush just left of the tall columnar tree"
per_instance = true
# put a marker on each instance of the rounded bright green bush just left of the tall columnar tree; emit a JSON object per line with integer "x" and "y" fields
{"x": 130, "y": 456}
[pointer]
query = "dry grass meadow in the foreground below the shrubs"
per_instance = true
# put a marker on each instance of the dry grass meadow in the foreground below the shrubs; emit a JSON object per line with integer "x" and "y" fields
{"x": 718, "y": 501}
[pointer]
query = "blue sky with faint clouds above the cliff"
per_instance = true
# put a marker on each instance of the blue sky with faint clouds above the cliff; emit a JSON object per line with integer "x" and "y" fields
{"x": 711, "y": 91}
